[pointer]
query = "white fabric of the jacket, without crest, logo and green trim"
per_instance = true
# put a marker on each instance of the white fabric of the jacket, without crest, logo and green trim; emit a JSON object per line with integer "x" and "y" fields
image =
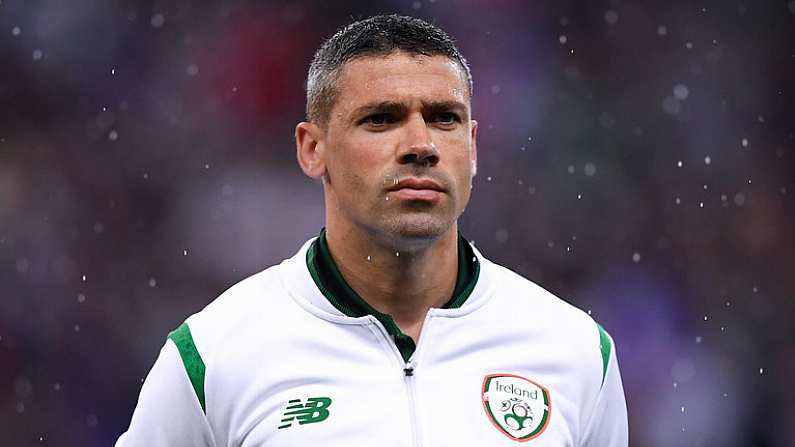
{"x": 274, "y": 337}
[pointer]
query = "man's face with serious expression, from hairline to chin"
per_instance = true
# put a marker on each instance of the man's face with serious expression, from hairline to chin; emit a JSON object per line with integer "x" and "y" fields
{"x": 399, "y": 121}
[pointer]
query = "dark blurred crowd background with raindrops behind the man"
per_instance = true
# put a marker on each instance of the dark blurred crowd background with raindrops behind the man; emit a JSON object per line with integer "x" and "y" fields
{"x": 636, "y": 158}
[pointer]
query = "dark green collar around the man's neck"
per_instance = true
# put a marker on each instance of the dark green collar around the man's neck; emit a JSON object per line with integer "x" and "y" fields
{"x": 329, "y": 280}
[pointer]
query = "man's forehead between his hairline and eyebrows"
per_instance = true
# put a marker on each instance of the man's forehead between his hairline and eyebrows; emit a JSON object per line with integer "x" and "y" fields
{"x": 399, "y": 77}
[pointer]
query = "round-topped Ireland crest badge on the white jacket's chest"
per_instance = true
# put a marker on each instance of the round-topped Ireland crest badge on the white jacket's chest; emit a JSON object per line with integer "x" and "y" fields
{"x": 519, "y": 408}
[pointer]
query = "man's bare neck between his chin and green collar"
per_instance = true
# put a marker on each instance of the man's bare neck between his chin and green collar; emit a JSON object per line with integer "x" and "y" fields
{"x": 403, "y": 284}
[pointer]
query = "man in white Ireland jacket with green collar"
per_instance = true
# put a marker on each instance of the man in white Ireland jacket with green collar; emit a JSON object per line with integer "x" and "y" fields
{"x": 388, "y": 328}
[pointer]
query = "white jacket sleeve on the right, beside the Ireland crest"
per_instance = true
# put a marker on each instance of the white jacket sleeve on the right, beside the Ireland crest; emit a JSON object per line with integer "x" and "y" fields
{"x": 607, "y": 425}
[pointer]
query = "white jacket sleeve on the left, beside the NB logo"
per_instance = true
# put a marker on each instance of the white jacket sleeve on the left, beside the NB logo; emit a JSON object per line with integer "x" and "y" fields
{"x": 170, "y": 410}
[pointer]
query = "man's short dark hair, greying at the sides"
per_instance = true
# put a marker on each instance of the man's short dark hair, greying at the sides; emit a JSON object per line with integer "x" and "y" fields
{"x": 375, "y": 36}
